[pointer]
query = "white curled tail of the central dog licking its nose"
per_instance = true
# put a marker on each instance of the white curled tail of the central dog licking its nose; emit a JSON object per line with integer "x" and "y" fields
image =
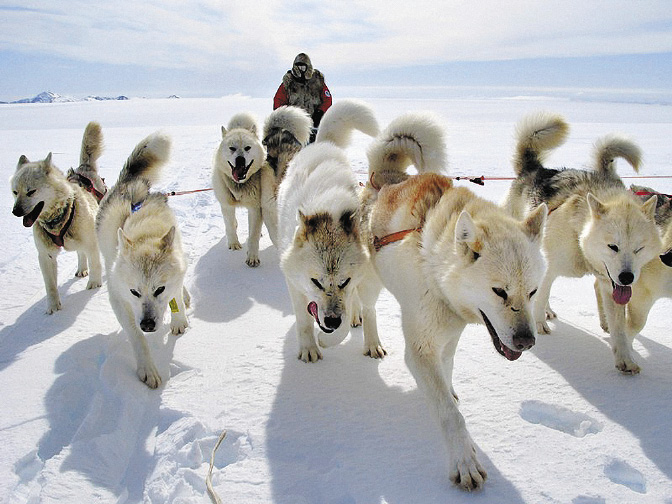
{"x": 342, "y": 118}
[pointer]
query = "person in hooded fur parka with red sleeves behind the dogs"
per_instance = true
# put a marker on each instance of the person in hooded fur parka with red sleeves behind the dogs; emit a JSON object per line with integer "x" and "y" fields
{"x": 303, "y": 86}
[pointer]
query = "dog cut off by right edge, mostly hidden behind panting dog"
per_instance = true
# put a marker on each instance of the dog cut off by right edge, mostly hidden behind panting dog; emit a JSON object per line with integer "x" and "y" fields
{"x": 655, "y": 281}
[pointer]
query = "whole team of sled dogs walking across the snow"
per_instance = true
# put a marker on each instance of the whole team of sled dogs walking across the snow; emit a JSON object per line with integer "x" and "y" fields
{"x": 449, "y": 257}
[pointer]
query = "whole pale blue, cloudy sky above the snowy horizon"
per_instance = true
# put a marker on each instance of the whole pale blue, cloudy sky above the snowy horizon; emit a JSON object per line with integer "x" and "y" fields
{"x": 214, "y": 47}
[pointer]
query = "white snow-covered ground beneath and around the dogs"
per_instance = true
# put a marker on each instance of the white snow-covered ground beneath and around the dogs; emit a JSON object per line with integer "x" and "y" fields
{"x": 559, "y": 425}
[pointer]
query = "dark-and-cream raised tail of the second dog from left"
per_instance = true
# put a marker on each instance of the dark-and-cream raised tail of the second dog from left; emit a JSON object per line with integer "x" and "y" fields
{"x": 147, "y": 159}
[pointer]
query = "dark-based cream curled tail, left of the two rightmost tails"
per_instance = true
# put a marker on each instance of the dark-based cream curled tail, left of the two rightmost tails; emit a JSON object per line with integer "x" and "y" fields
{"x": 537, "y": 134}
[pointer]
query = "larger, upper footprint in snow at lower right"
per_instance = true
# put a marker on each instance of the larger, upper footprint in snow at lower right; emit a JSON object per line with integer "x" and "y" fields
{"x": 559, "y": 418}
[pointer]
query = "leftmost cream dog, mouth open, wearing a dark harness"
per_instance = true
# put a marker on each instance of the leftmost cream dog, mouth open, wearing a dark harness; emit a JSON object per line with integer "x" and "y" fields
{"x": 63, "y": 212}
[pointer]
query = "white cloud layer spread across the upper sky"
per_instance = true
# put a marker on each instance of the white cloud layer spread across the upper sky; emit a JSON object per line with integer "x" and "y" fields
{"x": 200, "y": 35}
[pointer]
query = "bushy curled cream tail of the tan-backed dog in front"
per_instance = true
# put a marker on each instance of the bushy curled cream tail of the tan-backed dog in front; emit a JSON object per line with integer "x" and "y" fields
{"x": 411, "y": 139}
